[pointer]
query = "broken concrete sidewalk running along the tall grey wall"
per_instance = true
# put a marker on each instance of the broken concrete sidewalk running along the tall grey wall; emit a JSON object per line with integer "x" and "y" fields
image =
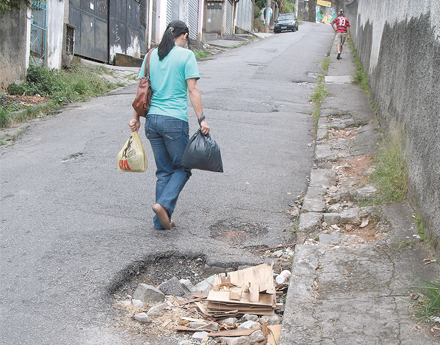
{"x": 352, "y": 272}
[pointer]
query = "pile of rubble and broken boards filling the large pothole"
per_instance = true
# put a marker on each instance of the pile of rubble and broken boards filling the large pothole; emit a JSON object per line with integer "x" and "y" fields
{"x": 243, "y": 307}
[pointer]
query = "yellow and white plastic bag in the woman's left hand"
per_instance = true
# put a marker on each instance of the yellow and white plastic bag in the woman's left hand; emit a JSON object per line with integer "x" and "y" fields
{"x": 132, "y": 157}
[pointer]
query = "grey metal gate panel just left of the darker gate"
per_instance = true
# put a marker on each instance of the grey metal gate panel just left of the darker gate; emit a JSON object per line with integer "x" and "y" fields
{"x": 91, "y": 35}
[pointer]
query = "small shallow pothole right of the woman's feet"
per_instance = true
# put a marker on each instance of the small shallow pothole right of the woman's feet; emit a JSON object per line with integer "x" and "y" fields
{"x": 235, "y": 231}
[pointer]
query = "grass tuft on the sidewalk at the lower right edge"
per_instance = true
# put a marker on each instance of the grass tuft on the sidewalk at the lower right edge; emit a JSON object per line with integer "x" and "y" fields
{"x": 428, "y": 304}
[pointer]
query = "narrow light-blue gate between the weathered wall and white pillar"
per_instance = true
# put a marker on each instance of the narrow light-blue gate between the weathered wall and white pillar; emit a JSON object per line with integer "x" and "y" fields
{"x": 38, "y": 33}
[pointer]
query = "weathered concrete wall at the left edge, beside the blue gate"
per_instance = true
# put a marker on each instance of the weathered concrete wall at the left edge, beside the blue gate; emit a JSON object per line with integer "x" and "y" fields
{"x": 13, "y": 46}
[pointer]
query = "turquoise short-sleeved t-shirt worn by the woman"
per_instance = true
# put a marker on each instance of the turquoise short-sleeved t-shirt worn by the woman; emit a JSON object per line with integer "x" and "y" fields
{"x": 168, "y": 81}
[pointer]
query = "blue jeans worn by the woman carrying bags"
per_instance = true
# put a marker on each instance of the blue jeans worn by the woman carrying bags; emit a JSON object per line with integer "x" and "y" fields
{"x": 168, "y": 137}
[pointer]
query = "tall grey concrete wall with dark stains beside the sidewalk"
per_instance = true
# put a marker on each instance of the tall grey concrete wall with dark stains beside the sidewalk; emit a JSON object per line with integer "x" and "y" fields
{"x": 399, "y": 45}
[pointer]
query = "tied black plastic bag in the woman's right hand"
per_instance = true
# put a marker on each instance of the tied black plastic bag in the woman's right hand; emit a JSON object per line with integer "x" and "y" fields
{"x": 203, "y": 153}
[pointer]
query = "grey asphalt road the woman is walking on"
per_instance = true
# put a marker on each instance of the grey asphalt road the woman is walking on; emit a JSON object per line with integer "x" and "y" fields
{"x": 73, "y": 227}
